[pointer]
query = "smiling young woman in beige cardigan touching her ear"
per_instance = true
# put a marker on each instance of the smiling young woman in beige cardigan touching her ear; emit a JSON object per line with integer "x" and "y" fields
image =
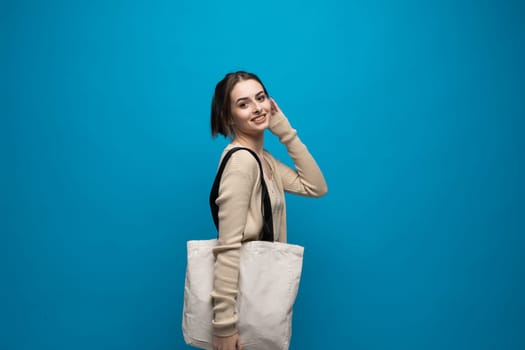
{"x": 243, "y": 110}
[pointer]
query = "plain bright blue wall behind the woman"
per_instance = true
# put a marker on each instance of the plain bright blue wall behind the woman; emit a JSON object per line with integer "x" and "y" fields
{"x": 413, "y": 109}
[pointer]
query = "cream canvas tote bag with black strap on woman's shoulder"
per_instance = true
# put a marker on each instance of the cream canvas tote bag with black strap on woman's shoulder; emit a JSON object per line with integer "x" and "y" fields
{"x": 269, "y": 278}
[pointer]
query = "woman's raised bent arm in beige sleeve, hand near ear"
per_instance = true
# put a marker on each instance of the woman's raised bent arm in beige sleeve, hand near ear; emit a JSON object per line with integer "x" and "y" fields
{"x": 307, "y": 179}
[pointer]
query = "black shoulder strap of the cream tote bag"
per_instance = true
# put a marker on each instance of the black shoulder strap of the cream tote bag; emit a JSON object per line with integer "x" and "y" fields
{"x": 266, "y": 205}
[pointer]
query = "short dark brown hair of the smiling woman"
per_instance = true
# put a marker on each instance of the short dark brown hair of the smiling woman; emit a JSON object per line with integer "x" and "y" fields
{"x": 221, "y": 118}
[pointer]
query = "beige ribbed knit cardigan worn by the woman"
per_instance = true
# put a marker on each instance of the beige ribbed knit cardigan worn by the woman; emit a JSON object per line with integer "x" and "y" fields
{"x": 240, "y": 218}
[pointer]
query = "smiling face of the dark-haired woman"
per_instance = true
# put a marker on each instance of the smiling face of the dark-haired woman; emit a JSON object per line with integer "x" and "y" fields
{"x": 250, "y": 108}
